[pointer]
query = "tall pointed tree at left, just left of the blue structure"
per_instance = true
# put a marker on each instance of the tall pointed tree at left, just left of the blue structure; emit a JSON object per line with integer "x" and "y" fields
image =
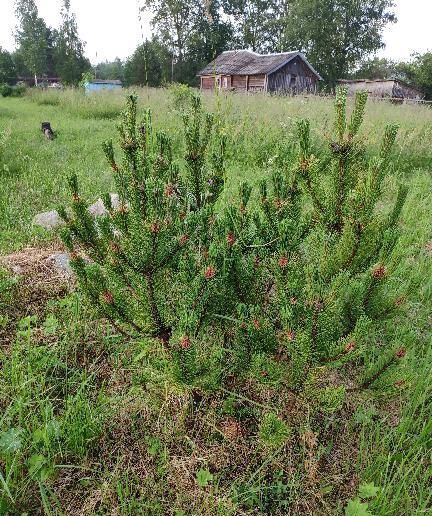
{"x": 69, "y": 50}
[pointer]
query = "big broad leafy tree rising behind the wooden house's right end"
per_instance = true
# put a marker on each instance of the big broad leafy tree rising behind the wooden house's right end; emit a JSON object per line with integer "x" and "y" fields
{"x": 337, "y": 34}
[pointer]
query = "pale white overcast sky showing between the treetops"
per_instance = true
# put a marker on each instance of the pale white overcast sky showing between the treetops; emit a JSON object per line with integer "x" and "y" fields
{"x": 112, "y": 28}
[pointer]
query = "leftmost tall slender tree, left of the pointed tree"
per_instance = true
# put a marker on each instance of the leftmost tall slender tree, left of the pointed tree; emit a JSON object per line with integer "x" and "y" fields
{"x": 31, "y": 37}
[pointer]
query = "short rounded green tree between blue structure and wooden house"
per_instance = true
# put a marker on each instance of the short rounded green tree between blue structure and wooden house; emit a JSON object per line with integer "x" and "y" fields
{"x": 149, "y": 65}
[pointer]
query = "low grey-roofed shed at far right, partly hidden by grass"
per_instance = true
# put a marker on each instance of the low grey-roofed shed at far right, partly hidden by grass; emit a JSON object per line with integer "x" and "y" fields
{"x": 383, "y": 88}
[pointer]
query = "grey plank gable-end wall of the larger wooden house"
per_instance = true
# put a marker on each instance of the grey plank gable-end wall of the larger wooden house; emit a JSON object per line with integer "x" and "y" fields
{"x": 294, "y": 77}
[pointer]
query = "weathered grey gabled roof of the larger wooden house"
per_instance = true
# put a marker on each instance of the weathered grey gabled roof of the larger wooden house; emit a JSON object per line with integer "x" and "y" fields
{"x": 245, "y": 62}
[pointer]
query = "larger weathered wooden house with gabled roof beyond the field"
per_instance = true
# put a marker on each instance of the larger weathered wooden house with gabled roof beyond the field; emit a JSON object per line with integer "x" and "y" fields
{"x": 243, "y": 70}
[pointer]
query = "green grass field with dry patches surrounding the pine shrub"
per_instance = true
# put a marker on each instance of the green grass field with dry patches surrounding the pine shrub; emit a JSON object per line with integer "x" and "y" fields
{"x": 86, "y": 428}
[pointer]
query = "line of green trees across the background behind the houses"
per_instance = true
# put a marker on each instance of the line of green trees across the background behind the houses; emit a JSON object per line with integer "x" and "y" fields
{"x": 337, "y": 36}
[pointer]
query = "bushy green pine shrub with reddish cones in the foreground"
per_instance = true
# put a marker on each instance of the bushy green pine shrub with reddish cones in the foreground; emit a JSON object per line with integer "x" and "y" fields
{"x": 289, "y": 278}
